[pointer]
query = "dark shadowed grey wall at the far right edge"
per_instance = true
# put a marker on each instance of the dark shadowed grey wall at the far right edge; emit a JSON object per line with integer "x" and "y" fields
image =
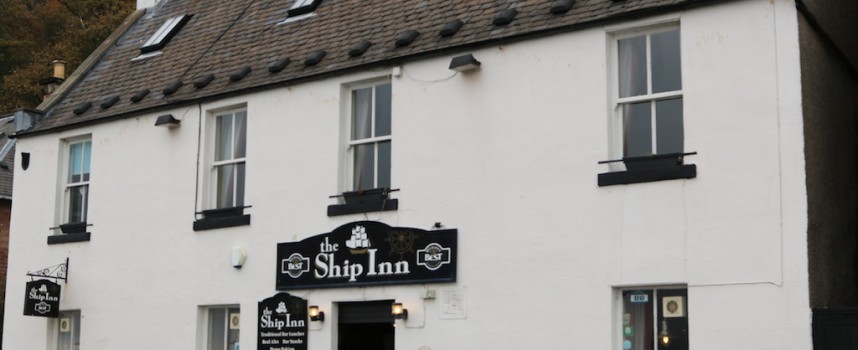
{"x": 830, "y": 92}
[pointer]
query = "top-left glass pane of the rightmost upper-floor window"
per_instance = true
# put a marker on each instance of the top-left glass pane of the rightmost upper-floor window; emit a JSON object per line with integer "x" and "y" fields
{"x": 632, "y": 61}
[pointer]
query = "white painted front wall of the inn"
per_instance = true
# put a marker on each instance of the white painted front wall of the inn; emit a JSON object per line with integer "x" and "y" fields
{"x": 508, "y": 155}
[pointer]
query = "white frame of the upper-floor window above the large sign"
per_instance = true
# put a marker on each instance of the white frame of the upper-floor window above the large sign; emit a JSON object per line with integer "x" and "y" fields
{"x": 348, "y": 182}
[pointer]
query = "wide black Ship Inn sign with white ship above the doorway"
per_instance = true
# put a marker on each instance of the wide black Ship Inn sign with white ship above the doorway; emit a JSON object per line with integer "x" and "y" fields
{"x": 368, "y": 253}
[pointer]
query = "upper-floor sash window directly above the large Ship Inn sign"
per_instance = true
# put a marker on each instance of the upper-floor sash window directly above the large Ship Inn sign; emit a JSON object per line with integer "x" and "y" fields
{"x": 369, "y": 144}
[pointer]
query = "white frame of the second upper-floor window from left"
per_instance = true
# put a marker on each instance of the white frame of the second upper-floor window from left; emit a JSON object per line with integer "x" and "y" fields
{"x": 210, "y": 179}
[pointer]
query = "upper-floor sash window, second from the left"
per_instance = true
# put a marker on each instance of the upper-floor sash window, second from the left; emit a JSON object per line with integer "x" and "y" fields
{"x": 228, "y": 165}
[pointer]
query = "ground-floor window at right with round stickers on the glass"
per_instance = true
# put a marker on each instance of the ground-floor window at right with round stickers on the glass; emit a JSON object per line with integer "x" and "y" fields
{"x": 654, "y": 319}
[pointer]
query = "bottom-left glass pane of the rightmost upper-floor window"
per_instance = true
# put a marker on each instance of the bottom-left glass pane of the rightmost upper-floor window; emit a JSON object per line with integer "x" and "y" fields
{"x": 637, "y": 129}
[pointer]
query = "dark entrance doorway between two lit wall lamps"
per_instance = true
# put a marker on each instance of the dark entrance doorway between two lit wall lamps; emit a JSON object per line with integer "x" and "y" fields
{"x": 365, "y": 326}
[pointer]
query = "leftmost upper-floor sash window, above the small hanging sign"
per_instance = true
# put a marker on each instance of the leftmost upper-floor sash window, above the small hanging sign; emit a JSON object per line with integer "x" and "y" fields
{"x": 77, "y": 181}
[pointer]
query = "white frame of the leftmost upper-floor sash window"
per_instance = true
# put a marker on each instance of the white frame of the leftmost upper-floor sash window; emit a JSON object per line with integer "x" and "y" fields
{"x": 65, "y": 182}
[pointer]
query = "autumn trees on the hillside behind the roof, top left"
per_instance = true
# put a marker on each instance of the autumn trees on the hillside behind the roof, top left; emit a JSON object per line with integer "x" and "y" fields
{"x": 33, "y": 33}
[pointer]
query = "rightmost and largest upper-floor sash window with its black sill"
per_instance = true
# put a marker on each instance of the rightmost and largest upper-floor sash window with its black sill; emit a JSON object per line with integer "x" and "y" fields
{"x": 647, "y": 120}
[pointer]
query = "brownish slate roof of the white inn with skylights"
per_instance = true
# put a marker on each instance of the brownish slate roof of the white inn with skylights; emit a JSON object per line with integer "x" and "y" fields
{"x": 225, "y": 37}
